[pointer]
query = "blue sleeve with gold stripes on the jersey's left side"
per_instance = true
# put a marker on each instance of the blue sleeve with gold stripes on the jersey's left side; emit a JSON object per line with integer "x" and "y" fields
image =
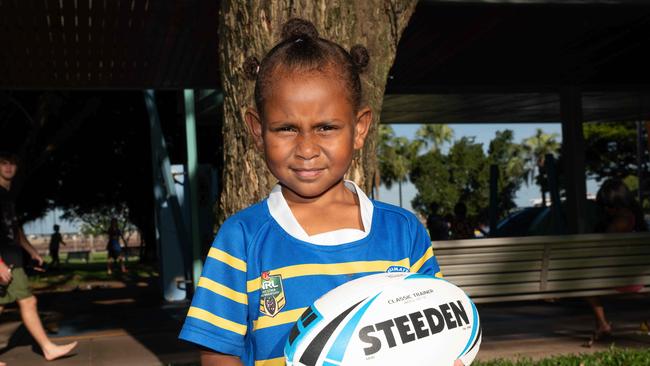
{"x": 217, "y": 318}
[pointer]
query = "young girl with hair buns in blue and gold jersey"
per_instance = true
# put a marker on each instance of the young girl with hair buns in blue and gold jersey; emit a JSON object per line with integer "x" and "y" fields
{"x": 315, "y": 231}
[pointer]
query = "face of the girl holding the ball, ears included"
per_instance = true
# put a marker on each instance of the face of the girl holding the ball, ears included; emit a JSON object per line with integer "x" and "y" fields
{"x": 309, "y": 132}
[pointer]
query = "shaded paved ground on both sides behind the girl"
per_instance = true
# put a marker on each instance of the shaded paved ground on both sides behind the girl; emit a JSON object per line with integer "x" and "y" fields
{"x": 129, "y": 326}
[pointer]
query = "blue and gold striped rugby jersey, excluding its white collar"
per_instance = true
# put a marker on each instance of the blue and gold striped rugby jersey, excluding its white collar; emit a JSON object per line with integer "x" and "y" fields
{"x": 258, "y": 279}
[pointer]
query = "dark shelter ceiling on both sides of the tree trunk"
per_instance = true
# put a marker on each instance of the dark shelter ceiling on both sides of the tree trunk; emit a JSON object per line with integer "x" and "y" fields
{"x": 458, "y": 61}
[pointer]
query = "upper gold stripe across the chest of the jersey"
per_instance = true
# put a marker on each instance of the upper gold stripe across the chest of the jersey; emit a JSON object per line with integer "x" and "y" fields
{"x": 299, "y": 270}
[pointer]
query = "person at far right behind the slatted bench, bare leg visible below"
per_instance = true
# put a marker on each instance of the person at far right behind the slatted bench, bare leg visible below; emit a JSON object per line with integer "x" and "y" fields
{"x": 621, "y": 213}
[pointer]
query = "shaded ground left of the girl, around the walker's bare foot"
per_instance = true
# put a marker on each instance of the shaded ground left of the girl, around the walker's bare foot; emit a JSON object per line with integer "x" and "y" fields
{"x": 117, "y": 319}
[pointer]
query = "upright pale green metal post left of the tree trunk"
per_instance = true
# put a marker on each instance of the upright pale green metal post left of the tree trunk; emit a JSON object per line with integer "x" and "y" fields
{"x": 192, "y": 170}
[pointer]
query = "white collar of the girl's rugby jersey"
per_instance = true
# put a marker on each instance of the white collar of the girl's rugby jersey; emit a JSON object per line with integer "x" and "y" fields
{"x": 280, "y": 211}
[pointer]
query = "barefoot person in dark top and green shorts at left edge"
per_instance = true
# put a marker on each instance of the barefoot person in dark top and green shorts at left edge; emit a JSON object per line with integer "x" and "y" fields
{"x": 14, "y": 284}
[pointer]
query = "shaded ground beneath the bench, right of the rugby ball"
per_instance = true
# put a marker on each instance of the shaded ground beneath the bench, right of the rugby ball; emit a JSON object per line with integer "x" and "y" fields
{"x": 538, "y": 329}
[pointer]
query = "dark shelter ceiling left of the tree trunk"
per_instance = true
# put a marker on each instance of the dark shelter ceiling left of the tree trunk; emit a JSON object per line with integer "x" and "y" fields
{"x": 108, "y": 44}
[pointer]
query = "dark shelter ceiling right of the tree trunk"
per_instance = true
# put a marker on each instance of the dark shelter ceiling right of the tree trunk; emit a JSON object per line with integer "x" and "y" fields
{"x": 460, "y": 62}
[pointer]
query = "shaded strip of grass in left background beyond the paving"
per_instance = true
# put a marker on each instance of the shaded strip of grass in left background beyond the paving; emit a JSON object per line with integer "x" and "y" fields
{"x": 78, "y": 273}
